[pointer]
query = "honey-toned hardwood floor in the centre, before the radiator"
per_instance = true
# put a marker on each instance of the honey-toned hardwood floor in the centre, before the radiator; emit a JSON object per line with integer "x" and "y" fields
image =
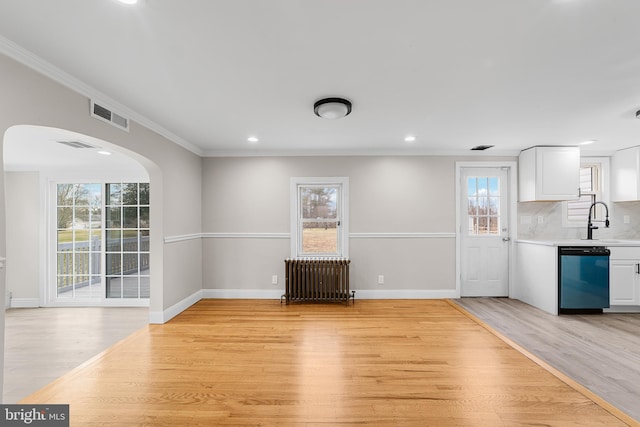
{"x": 230, "y": 362}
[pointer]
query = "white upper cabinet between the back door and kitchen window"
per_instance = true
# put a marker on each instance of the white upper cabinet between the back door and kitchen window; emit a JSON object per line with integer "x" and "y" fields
{"x": 549, "y": 174}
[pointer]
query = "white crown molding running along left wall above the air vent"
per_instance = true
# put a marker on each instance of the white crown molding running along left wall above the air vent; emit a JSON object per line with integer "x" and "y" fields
{"x": 31, "y": 60}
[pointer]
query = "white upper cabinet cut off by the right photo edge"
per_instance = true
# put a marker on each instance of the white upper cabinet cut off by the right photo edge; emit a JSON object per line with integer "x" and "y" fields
{"x": 625, "y": 175}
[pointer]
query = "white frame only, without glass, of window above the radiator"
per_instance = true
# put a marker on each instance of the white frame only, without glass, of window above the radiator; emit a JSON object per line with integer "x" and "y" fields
{"x": 343, "y": 228}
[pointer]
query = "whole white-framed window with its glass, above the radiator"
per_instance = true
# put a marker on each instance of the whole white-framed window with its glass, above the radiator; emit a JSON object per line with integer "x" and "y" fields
{"x": 319, "y": 217}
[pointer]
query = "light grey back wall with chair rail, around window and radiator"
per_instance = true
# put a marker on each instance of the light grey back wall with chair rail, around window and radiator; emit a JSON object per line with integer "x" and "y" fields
{"x": 399, "y": 207}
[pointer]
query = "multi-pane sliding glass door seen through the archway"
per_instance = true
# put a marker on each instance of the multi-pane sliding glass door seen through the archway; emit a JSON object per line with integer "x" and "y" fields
{"x": 102, "y": 225}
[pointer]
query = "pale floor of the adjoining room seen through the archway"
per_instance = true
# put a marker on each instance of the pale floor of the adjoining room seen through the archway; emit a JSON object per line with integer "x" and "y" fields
{"x": 42, "y": 344}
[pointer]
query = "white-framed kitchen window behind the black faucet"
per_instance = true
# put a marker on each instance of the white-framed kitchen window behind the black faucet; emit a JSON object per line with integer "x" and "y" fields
{"x": 593, "y": 177}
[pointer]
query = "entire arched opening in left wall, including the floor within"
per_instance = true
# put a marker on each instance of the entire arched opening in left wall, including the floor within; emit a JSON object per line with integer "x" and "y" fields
{"x": 38, "y": 161}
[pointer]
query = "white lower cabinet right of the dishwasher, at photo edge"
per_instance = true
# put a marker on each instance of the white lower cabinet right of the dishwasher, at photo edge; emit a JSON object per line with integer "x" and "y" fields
{"x": 624, "y": 276}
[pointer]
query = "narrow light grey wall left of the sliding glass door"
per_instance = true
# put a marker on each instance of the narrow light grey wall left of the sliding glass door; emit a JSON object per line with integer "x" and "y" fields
{"x": 24, "y": 240}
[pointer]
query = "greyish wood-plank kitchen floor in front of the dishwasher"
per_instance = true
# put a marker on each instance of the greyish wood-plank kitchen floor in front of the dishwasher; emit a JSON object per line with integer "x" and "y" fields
{"x": 601, "y": 352}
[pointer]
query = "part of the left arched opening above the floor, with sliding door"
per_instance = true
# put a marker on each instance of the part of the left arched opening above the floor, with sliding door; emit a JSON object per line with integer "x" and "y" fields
{"x": 91, "y": 227}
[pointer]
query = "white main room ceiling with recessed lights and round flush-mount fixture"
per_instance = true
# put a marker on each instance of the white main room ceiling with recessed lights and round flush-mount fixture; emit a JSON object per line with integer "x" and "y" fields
{"x": 454, "y": 73}
